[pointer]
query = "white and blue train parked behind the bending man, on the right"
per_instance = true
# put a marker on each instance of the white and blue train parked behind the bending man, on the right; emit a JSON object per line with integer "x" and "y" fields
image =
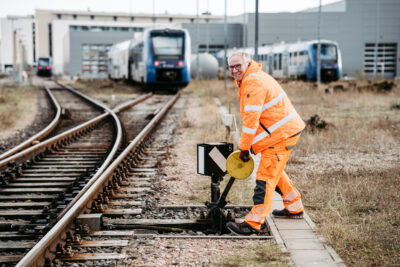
{"x": 299, "y": 60}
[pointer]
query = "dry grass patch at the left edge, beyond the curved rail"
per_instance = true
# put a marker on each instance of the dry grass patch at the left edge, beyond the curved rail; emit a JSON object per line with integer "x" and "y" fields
{"x": 16, "y": 103}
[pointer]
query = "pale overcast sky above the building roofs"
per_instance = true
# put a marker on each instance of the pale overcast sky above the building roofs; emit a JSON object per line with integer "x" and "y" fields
{"x": 216, "y": 7}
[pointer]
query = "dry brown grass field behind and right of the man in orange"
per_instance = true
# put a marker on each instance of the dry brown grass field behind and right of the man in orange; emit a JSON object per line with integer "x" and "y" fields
{"x": 349, "y": 175}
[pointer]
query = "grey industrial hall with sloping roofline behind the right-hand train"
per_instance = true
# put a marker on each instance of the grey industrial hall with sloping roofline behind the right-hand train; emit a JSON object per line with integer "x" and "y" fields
{"x": 357, "y": 25}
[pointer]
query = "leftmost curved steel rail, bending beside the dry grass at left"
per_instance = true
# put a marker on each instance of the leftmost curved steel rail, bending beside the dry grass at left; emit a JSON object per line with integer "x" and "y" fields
{"x": 42, "y": 134}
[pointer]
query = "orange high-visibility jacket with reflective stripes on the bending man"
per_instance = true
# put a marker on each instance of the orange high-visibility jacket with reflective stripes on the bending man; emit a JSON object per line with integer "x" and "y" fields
{"x": 262, "y": 100}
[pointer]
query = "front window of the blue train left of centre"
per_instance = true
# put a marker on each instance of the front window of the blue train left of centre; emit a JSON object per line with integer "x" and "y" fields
{"x": 167, "y": 47}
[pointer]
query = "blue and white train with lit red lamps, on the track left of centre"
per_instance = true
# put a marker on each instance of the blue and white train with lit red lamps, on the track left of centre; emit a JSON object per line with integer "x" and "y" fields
{"x": 159, "y": 58}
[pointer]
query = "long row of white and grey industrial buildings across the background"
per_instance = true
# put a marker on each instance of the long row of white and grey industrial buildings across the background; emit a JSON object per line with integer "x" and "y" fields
{"x": 368, "y": 33}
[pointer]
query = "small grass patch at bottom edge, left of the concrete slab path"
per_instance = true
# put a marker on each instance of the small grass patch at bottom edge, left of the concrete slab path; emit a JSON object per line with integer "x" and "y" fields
{"x": 259, "y": 255}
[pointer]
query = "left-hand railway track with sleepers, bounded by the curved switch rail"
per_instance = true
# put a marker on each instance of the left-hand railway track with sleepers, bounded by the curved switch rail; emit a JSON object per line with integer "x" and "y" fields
{"x": 41, "y": 182}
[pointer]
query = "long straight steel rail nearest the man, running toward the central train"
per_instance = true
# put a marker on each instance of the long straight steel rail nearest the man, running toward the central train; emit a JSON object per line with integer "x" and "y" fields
{"x": 35, "y": 256}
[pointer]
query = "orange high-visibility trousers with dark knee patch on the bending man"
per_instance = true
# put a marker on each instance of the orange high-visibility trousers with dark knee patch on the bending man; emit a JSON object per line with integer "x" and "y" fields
{"x": 270, "y": 174}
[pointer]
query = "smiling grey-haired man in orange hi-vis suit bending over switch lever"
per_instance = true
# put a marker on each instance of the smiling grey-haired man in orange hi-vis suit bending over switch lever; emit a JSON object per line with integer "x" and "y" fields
{"x": 270, "y": 125}
